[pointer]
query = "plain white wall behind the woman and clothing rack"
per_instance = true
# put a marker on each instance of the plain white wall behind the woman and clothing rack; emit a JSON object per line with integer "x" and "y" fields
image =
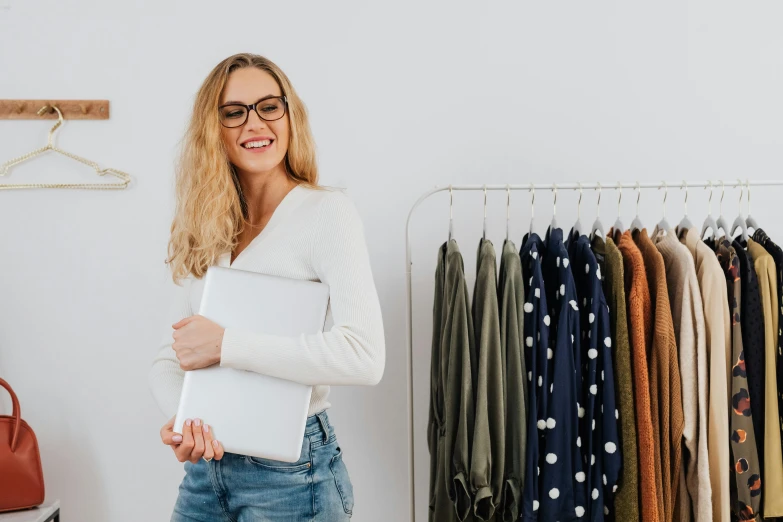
{"x": 403, "y": 96}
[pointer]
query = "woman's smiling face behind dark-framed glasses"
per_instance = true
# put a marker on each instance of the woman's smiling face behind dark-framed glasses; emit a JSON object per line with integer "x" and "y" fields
{"x": 258, "y": 146}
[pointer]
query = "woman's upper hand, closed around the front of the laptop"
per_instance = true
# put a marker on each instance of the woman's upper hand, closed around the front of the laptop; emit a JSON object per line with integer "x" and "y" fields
{"x": 197, "y": 342}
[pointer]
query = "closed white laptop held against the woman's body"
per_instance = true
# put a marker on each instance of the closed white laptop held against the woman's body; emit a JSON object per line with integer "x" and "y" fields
{"x": 250, "y": 413}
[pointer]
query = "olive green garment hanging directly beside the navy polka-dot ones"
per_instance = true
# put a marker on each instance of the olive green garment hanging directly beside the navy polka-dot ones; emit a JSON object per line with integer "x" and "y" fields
{"x": 511, "y": 295}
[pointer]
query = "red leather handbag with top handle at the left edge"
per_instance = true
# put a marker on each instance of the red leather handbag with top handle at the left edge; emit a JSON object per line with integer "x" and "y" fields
{"x": 21, "y": 478}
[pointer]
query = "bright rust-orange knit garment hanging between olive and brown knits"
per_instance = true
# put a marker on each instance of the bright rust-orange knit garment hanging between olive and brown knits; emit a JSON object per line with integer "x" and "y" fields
{"x": 639, "y": 322}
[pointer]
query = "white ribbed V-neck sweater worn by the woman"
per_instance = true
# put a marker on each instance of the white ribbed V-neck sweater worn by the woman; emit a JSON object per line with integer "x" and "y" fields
{"x": 316, "y": 235}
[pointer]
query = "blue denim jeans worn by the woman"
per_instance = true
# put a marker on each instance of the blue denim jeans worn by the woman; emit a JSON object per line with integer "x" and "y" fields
{"x": 239, "y": 488}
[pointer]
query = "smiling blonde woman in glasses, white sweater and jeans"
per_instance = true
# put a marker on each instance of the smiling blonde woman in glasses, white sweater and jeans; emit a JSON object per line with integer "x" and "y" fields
{"x": 247, "y": 197}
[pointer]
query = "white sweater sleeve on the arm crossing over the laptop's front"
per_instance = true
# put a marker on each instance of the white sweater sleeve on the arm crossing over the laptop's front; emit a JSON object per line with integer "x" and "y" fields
{"x": 353, "y": 351}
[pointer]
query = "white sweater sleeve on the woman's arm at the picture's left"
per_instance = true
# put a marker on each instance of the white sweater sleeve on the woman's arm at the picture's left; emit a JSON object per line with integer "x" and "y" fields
{"x": 166, "y": 377}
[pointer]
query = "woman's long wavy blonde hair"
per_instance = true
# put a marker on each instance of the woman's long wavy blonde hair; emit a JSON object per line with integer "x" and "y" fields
{"x": 211, "y": 209}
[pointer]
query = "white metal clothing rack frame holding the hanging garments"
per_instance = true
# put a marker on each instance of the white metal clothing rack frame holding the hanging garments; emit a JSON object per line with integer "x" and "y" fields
{"x": 554, "y": 187}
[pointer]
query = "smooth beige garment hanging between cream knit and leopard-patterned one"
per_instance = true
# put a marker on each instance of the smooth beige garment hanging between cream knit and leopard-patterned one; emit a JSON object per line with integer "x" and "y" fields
{"x": 714, "y": 296}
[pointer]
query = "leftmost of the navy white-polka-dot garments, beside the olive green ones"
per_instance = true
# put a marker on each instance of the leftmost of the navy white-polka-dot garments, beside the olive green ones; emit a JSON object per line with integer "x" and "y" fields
{"x": 537, "y": 357}
